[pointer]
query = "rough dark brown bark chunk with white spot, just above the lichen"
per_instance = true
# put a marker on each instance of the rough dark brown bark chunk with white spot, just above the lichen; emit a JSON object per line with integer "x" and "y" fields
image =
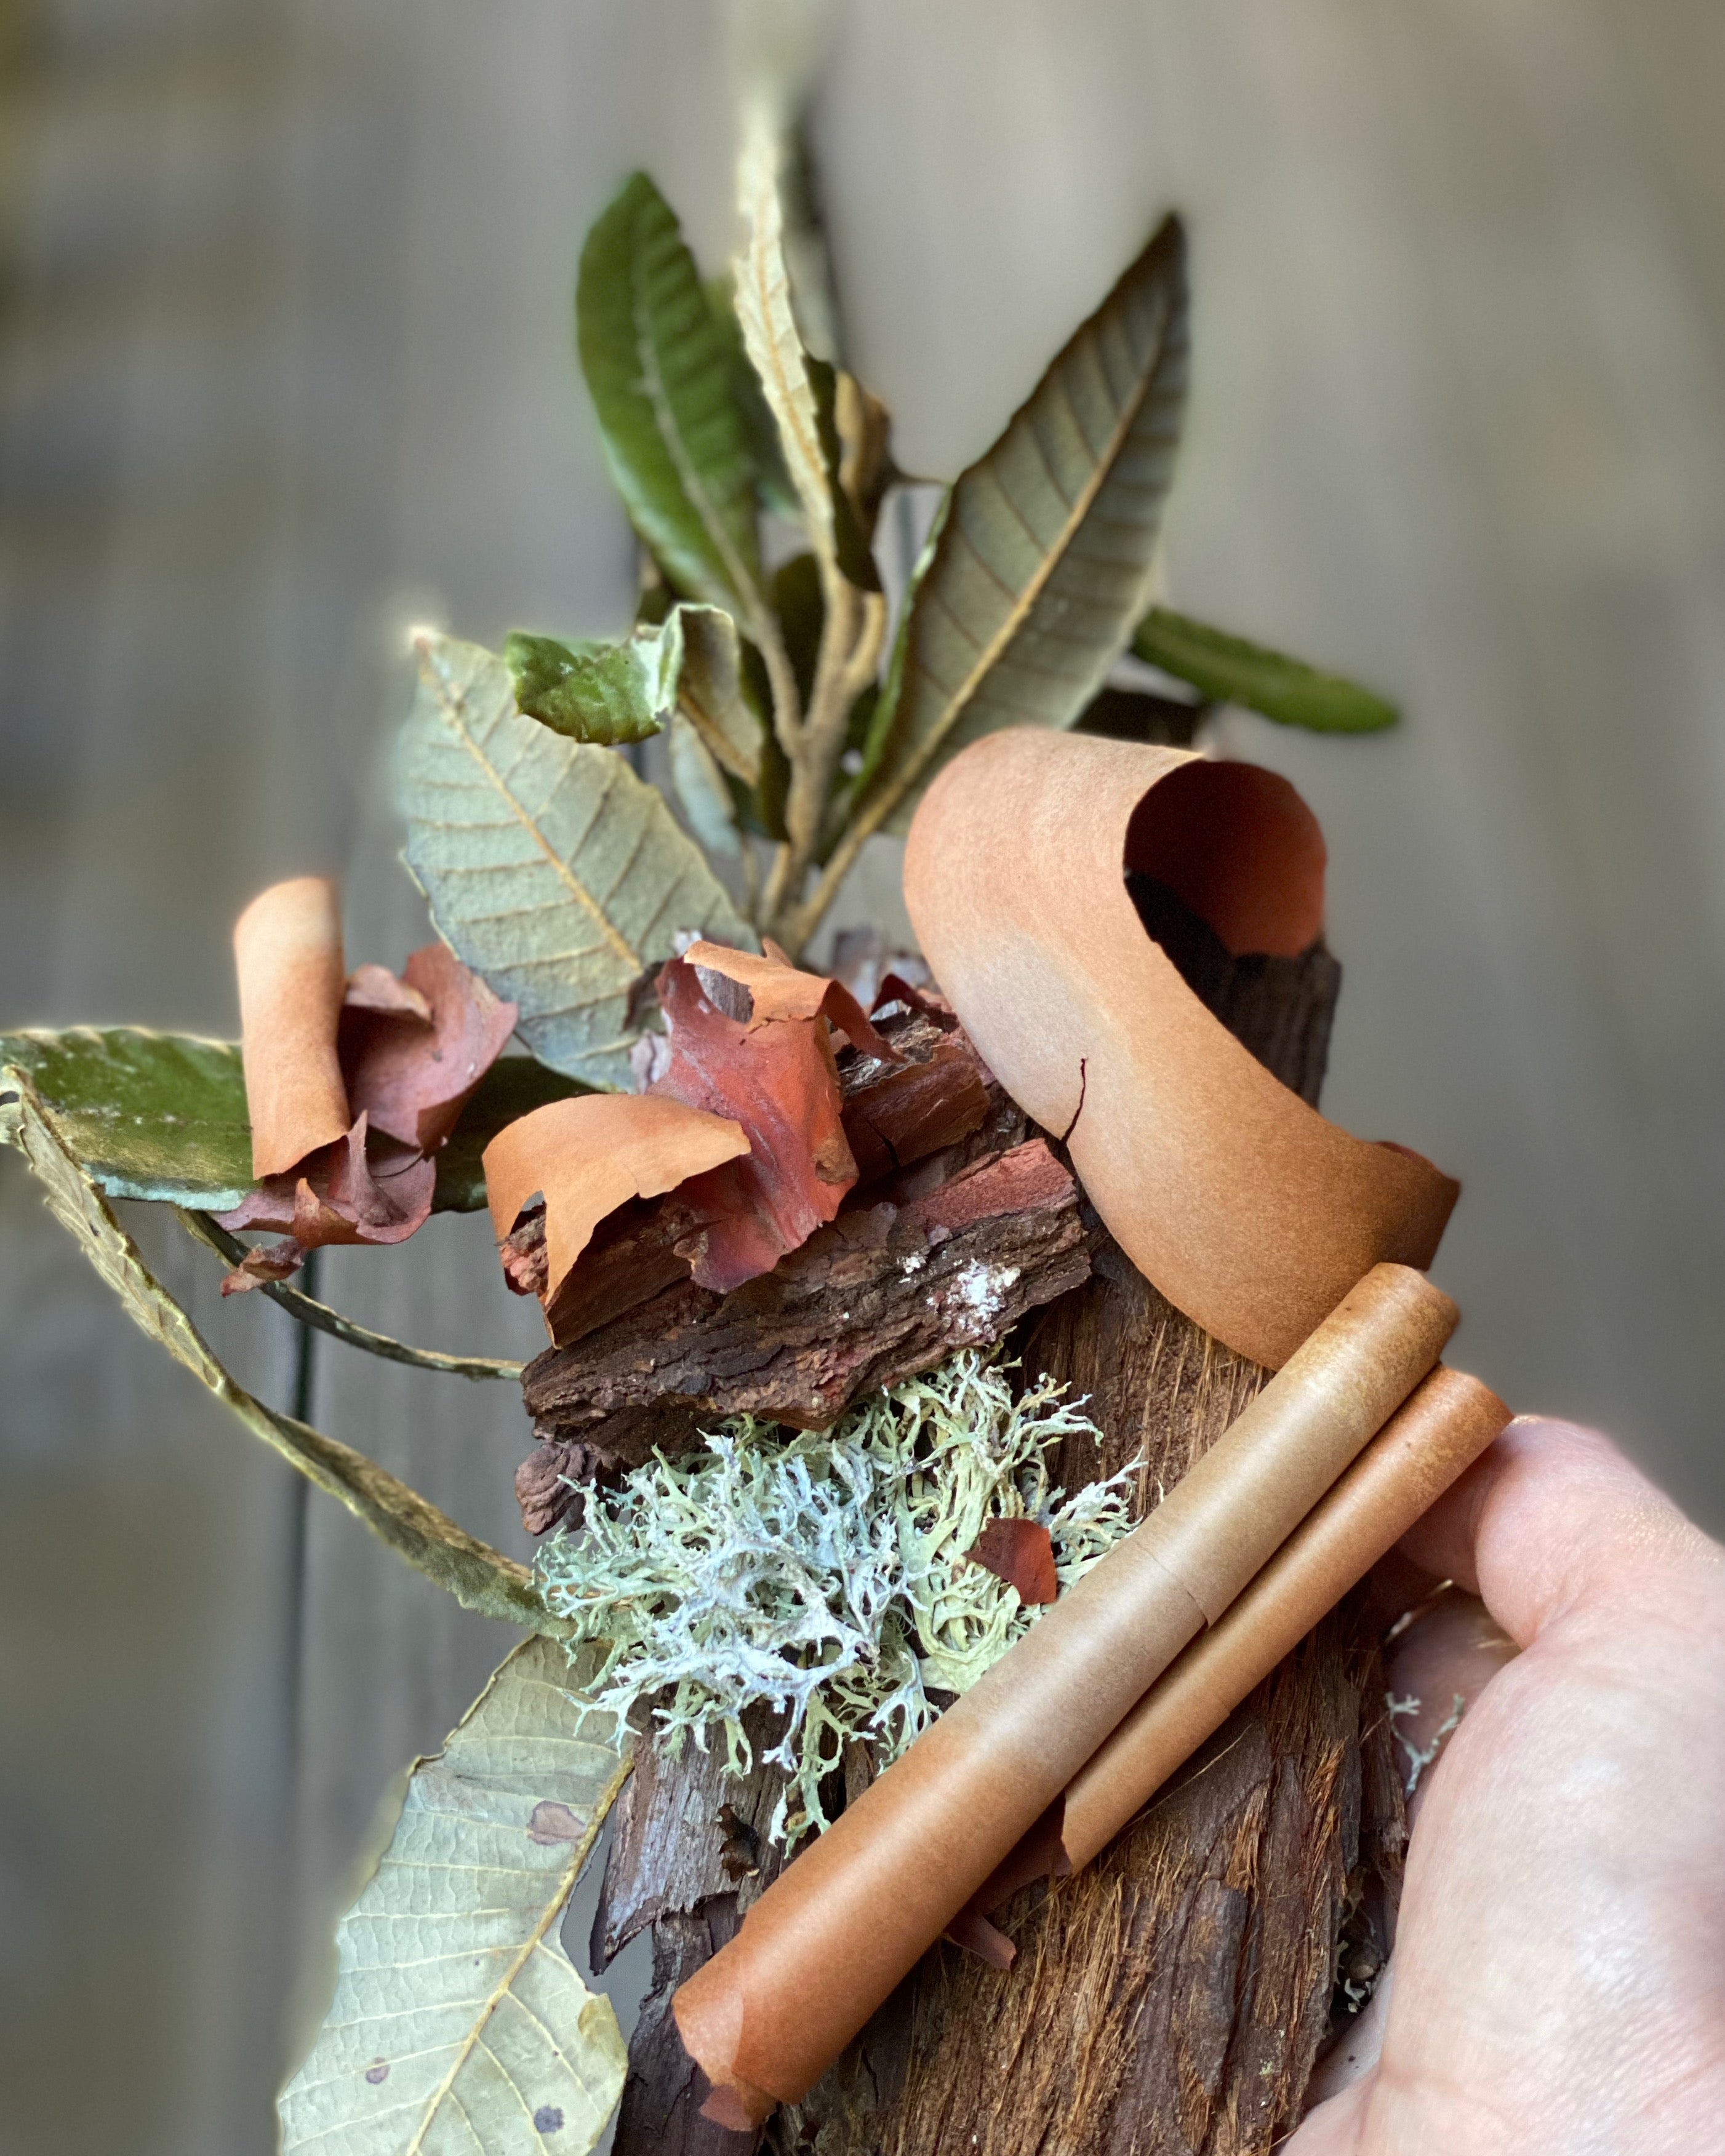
{"x": 885, "y": 1293}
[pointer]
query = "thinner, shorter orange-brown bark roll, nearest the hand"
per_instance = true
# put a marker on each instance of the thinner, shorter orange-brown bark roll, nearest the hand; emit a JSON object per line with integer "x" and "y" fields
{"x": 1429, "y": 1446}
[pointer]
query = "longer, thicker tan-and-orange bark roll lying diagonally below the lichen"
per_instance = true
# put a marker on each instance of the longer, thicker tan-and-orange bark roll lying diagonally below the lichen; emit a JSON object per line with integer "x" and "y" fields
{"x": 857, "y": 1909}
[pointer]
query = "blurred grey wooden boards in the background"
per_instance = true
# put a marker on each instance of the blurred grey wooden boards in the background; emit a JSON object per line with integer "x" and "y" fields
{"x": 286, "y": 363}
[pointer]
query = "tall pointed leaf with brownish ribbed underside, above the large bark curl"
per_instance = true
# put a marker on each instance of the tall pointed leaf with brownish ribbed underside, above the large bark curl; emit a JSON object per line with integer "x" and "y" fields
{"x": 1040, "y": 562}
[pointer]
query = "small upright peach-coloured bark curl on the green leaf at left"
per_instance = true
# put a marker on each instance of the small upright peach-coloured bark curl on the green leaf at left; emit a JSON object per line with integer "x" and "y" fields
{"x": 292, "y": 980}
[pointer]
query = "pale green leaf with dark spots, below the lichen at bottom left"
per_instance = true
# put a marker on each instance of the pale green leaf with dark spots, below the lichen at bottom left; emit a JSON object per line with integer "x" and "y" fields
{"x": 460, "y": 2023}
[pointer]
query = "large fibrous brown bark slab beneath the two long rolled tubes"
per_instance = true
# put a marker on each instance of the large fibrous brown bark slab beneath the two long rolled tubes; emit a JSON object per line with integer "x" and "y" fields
{"x": 1170, "y": 2000}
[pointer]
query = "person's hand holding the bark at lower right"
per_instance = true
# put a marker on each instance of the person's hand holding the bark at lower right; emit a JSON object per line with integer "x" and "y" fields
{"x": 1558, "y": 1985}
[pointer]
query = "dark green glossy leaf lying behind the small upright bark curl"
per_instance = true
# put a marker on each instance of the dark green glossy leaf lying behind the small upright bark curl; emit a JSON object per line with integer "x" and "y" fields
{"x": 163, "y": 1116}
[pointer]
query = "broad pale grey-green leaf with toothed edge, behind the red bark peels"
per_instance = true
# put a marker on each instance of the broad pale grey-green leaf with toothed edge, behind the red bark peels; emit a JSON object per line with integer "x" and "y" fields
{"x": 551, "y": 868}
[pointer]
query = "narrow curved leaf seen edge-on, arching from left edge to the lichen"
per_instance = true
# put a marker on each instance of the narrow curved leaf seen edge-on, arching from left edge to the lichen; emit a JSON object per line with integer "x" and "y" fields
{"x": 478, "y": 1575}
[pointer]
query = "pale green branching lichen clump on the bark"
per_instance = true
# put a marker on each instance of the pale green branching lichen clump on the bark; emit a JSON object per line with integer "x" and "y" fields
{"x": 825, "y": 1573}
